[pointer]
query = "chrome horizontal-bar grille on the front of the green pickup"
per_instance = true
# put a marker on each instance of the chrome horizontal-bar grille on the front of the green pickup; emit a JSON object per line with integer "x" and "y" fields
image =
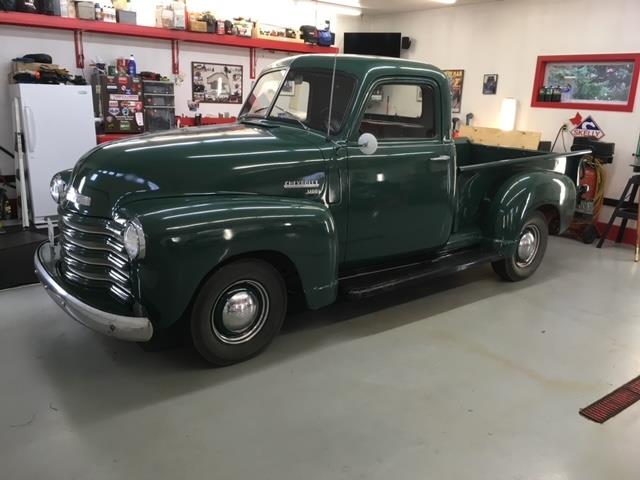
{"x": 93, "y": 254}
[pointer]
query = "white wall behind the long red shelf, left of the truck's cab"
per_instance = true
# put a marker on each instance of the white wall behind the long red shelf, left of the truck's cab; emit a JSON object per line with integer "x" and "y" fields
{"x": 152, "y": 55}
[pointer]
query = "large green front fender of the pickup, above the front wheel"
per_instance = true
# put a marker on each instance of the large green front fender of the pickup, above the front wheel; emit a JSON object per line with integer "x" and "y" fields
{"x": 186, "y": 238}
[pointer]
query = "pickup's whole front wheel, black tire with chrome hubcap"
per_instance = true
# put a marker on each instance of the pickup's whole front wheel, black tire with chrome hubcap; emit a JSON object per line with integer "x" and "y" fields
{"x": 243, "y": 284}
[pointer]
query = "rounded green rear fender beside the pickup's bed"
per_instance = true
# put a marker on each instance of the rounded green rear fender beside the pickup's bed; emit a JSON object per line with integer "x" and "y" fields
{"x": 519, "y": 197}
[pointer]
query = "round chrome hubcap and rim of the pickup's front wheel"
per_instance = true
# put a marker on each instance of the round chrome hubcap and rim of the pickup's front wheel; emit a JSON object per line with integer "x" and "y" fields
{"x": 240, "y": 312}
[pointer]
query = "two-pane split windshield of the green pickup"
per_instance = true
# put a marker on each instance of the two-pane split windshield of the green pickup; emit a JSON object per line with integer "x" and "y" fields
{"x": 303, "y": 97}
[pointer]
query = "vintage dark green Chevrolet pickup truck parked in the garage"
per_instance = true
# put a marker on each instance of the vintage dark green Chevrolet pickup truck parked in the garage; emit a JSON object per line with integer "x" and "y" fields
{"x": 340, "y": 177}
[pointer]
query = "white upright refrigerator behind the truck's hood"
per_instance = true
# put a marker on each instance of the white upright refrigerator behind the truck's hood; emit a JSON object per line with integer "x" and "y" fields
{"x": 56, "y": 123}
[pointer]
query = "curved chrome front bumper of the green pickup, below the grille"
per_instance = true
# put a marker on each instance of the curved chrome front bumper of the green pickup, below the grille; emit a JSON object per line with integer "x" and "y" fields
{"x": 135, "y": 329}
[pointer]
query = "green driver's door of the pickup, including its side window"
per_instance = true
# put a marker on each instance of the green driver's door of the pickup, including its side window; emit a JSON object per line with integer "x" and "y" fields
{"x": 401, "y": 196}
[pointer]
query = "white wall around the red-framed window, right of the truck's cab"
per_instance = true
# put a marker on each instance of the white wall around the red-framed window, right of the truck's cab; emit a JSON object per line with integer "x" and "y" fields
{"x": 506, "y": 37}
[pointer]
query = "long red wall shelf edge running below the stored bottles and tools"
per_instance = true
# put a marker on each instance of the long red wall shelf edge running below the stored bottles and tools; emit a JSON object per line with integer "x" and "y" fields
{"x": 74, "y": 24}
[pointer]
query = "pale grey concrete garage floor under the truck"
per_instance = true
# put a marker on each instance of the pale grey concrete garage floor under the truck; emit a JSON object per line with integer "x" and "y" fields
{"x": 470, "y": 378}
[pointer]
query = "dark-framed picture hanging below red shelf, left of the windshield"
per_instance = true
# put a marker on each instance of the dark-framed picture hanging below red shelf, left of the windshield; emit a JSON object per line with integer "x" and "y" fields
{"x": 216, "y": 83}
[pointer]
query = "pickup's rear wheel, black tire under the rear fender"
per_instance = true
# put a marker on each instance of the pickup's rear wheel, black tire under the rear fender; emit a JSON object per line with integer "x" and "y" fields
{"x": 518, "y": 267}
